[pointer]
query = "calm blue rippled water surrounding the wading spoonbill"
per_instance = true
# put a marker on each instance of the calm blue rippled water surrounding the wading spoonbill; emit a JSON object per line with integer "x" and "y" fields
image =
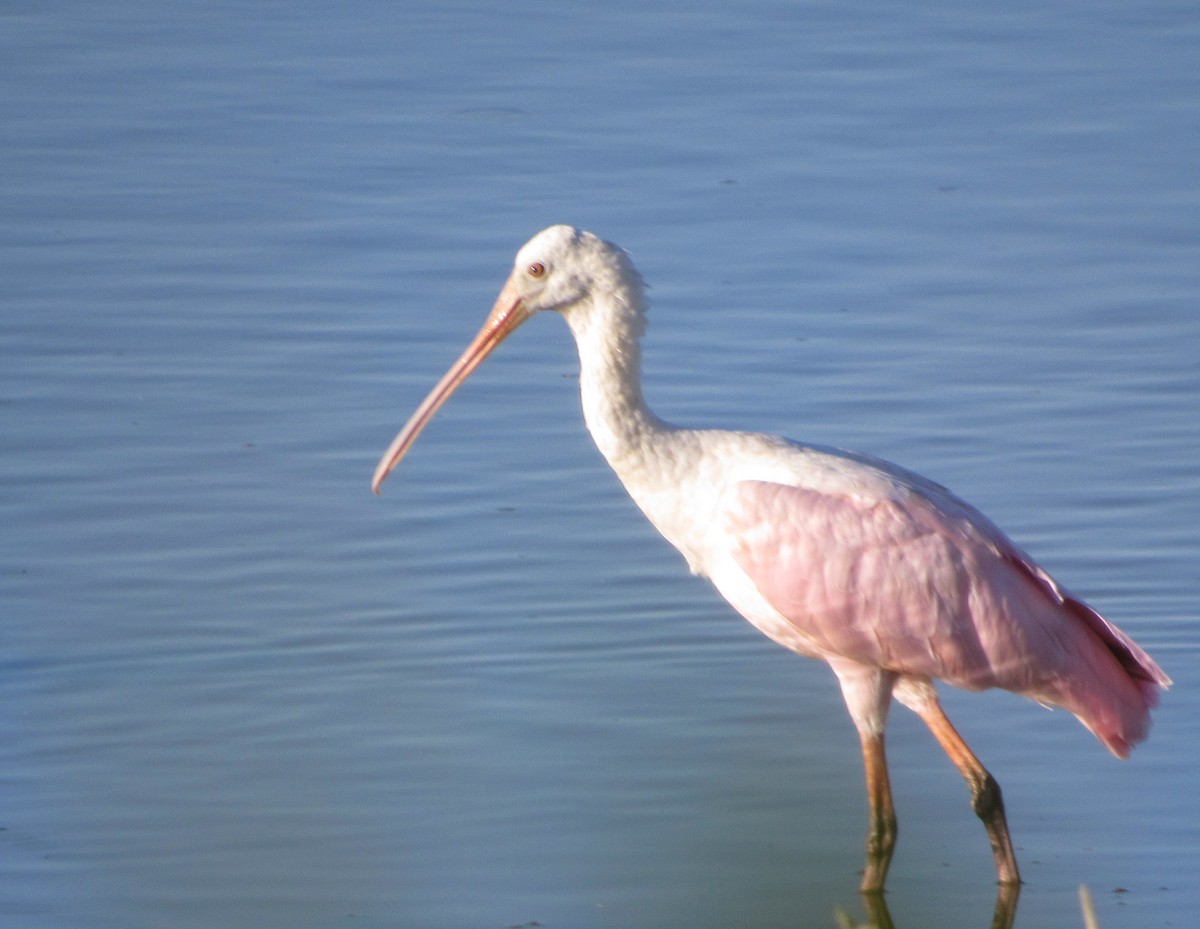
{"x": 238, "y": 248}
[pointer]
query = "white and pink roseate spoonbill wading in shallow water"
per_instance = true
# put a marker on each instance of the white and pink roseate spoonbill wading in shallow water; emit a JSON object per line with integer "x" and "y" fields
{"x": 887, "y": 577}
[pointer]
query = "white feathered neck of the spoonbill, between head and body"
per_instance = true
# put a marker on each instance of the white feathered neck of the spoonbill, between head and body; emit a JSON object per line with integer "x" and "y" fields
{"x": 608, "y": 334}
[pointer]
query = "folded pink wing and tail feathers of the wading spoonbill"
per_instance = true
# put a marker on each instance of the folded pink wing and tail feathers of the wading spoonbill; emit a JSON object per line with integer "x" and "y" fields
{"x": 922, "y": 584}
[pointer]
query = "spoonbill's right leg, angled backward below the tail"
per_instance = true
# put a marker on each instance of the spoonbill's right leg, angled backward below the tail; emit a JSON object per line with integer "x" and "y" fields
{"x": 986, "y": 798}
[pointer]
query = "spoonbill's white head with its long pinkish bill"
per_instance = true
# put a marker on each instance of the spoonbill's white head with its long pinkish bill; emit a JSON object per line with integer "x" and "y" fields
{"x": 560, "y": 269}
